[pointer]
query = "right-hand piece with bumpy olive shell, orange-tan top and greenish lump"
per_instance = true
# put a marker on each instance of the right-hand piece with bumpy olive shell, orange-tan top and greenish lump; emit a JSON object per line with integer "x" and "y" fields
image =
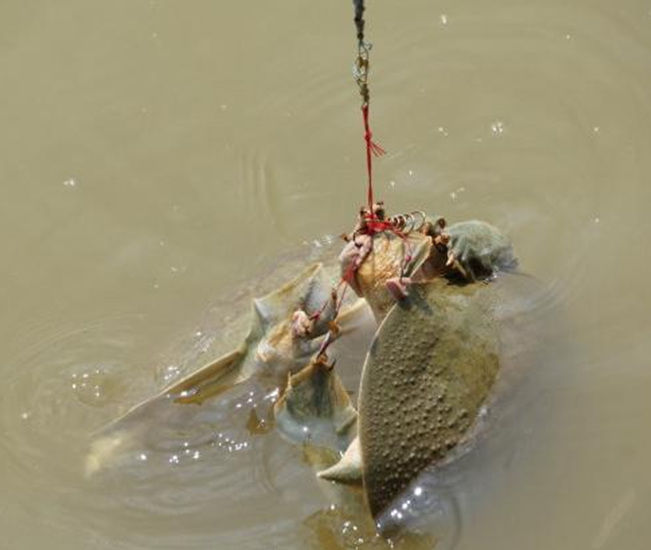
{"x": 435, "y": 358}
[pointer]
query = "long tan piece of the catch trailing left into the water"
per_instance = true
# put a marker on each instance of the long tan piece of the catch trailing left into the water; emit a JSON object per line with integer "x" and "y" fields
{"x": 288, "y": 326}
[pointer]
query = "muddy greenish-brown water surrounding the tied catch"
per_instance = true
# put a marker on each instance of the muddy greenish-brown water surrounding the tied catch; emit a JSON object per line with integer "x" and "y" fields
{"x": 164, "y": 161}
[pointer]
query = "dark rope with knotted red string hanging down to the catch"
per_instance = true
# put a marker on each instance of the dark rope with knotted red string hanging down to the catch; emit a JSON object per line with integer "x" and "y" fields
{"x": 360, "y": 73}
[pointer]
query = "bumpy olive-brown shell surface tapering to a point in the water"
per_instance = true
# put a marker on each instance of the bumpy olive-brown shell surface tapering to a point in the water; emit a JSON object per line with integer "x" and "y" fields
{"x": 430, "y": 368}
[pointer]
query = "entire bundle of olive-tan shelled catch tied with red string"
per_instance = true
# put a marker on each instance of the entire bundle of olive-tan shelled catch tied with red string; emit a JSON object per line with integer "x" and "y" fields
{"x": 431, "y": 367}
